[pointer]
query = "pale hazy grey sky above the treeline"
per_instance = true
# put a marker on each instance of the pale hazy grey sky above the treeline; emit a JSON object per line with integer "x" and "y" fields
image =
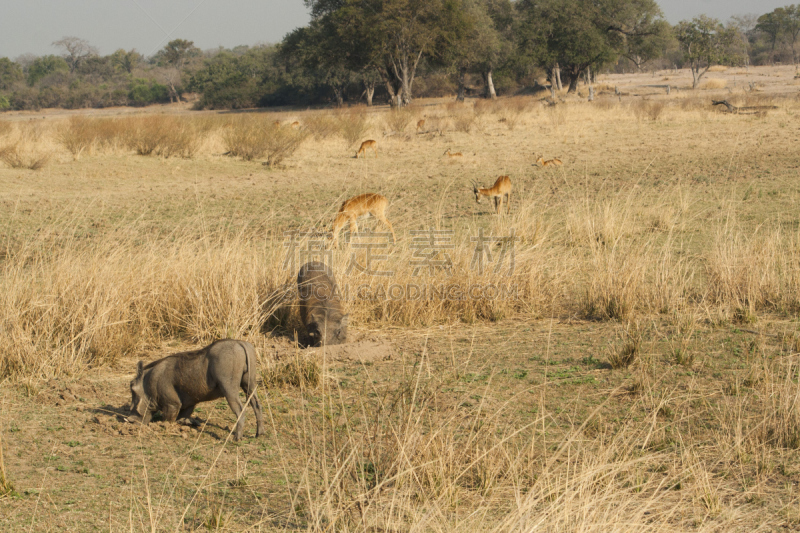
{"x": 30, "y": 26}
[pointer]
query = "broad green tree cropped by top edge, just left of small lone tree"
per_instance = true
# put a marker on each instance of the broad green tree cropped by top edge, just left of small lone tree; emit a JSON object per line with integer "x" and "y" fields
{"x": 576, "y": 35}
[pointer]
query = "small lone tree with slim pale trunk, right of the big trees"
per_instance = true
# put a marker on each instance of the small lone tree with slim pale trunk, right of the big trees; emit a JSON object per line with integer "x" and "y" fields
{"x": 704, "y": 43}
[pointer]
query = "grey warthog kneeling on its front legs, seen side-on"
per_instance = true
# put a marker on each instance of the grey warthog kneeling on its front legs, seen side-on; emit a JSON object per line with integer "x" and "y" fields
{"x": 175, "y": 384}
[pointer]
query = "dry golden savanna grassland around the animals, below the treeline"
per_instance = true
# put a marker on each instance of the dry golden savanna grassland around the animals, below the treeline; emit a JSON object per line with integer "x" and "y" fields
{"x": 641, "y": 376}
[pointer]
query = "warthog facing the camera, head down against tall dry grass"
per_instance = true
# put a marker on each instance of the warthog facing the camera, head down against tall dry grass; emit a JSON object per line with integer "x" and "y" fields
{"x": 320, "y": 305}
